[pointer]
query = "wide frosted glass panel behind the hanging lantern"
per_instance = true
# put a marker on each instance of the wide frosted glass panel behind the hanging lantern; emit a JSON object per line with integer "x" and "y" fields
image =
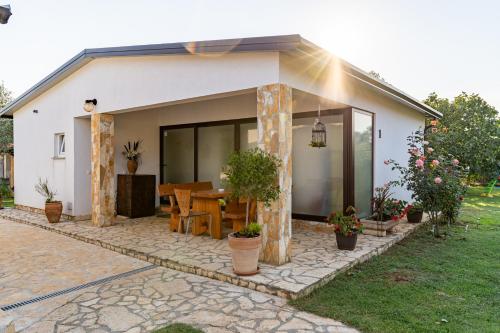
{"x": 317, "y": 172}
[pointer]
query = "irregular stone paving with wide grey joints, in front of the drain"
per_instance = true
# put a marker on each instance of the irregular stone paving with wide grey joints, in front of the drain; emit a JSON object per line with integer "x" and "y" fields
{"x": 156, "y": 298}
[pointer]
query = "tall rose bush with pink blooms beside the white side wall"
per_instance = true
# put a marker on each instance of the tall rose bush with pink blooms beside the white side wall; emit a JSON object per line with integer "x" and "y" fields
{"x": 435, "y": 181}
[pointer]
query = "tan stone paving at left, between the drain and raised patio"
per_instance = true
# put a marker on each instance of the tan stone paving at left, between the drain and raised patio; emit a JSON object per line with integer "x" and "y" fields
{"x": 35, "y": 262}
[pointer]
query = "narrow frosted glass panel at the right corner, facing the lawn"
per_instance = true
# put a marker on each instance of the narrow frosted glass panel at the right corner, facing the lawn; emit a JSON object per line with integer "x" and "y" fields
{"x": 362, "y": 149}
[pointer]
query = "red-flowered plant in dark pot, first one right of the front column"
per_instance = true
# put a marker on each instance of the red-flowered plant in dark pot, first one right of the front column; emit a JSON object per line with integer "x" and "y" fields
{"x": 347, "y": 228}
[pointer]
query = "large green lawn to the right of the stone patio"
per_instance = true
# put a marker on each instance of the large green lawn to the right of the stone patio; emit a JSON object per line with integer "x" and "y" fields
{"x": 425, "y": 284}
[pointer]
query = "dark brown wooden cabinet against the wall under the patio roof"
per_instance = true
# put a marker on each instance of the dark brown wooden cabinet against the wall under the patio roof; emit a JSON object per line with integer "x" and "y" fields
{"x": 136, "y": 195}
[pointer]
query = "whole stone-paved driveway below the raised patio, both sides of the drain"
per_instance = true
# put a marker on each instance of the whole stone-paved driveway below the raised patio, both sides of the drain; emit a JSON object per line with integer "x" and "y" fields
{"x": 34, "y": 262}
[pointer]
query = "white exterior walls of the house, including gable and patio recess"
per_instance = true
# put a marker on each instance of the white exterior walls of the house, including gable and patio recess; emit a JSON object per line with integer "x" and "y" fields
{"x": 148, "y": 82}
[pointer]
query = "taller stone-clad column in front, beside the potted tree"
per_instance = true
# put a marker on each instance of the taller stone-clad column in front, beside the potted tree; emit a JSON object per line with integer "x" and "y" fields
{"x": 274, "y": 122}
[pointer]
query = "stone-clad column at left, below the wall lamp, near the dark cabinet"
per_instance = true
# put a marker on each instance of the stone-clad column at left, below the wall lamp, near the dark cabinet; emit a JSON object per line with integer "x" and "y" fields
{"x": 103, "y": 170}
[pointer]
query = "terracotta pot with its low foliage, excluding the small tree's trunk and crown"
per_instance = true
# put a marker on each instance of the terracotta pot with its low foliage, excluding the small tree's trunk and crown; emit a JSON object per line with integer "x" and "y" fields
{"x": 245, "y": 247}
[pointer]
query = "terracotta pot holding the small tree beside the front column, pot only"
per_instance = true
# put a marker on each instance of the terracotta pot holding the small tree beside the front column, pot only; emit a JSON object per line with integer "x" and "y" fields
{"x": 245, "y": 253}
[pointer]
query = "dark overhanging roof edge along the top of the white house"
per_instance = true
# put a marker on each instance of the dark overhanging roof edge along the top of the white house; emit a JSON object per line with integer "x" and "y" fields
{"x": 282, "y": 43}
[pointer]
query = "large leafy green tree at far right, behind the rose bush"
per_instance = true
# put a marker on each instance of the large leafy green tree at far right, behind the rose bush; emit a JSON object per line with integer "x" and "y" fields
{"x": 470, "y": 131}
